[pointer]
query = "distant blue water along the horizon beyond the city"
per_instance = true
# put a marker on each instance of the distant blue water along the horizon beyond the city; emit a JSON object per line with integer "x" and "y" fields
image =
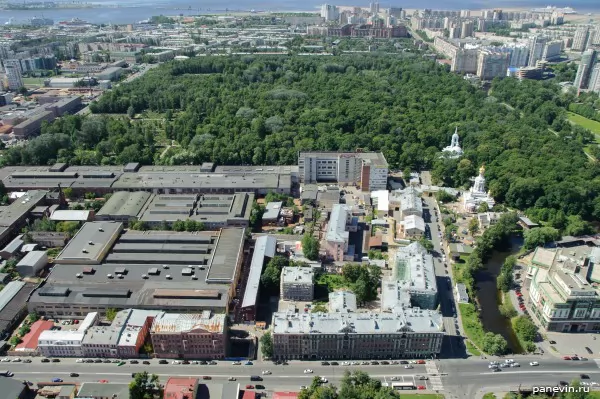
{"x": 131, "y": 11}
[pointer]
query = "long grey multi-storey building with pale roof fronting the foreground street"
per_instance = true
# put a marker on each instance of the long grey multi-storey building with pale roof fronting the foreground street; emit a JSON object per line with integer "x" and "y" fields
{"x": 346, "y": 335}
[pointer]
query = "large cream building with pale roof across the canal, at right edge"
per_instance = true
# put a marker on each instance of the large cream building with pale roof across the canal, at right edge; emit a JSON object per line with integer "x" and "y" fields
{"x": 563, "y": 292}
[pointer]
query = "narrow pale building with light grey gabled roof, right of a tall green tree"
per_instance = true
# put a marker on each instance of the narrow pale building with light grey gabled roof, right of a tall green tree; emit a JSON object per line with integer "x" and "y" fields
{"x": 337, "y": 237}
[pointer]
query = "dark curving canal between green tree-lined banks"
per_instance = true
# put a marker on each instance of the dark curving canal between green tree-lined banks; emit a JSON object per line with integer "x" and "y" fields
{"x": 490, "y": 298}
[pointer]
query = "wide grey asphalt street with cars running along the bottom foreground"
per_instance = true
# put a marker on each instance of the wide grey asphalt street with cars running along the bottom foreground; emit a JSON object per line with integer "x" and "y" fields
{"x": 457, "y": 378}
